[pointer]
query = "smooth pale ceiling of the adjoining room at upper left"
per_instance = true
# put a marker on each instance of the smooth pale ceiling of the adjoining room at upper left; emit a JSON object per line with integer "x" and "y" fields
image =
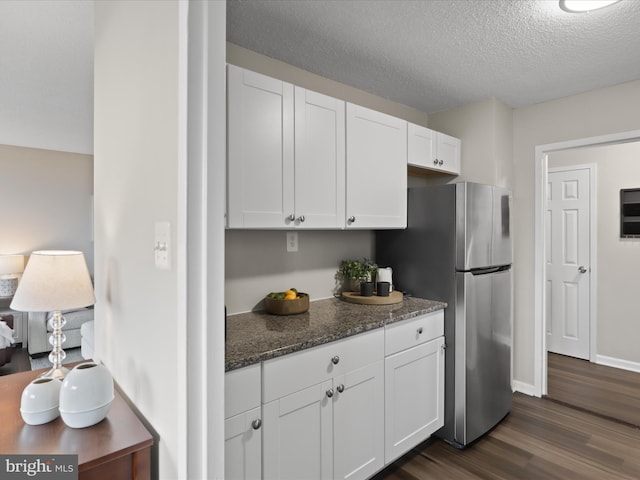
{"x": 47, "y": 76}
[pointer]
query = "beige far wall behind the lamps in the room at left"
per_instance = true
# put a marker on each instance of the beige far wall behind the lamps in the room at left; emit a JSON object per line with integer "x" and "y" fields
{"x": 46, "y": 201}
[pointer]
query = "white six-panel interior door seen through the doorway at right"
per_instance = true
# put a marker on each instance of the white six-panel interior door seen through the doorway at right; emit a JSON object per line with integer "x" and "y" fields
{"x": 568, "y": 256}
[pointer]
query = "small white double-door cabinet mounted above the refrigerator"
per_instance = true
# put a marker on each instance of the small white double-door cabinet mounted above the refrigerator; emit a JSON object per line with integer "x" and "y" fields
{"x": 433, "y": 150}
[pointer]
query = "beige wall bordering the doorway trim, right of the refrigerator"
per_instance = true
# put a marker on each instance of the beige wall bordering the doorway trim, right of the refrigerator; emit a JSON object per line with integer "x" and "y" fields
{"x": 600, "y": 112}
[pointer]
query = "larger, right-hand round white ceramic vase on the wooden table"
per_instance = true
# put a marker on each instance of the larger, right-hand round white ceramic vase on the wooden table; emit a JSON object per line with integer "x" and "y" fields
{"x": 86, "y": 395}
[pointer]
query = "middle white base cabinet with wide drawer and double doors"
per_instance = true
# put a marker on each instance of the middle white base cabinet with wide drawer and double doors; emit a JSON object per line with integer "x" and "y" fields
{"x": 333, "y": 428}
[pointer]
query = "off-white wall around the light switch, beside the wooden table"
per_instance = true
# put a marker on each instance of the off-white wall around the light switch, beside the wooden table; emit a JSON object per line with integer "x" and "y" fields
{"x": 139, "y": 328}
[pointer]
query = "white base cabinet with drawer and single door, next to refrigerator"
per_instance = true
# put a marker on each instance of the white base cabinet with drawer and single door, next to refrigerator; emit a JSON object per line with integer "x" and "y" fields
{"x": 414, "y": 383}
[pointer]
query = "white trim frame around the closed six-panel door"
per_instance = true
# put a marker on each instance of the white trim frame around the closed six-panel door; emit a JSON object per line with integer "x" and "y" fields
{"x": 593, "y": 248}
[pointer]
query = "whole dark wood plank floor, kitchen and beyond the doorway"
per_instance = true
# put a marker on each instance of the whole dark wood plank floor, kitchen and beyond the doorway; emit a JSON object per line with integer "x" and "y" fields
{"x": 543, "y": 438}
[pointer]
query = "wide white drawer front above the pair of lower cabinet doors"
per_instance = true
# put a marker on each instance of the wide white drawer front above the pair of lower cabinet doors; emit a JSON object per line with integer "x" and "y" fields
{"x": 291, "y": 373}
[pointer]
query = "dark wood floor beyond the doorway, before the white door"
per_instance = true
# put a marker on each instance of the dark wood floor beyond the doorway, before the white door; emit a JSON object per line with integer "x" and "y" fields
{"x": 610, "y": 392}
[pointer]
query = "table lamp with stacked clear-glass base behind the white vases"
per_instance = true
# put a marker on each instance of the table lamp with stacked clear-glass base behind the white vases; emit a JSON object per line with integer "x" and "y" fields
{"x": 53, "y": 281}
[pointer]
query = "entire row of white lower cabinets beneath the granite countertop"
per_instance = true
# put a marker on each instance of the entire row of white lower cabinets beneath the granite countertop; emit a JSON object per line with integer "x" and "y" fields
{"x": 342, "y": 410}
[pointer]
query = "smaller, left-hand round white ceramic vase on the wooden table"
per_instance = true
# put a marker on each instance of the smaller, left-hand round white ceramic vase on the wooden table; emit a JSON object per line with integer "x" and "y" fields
{"x": 39, "y": 401}
